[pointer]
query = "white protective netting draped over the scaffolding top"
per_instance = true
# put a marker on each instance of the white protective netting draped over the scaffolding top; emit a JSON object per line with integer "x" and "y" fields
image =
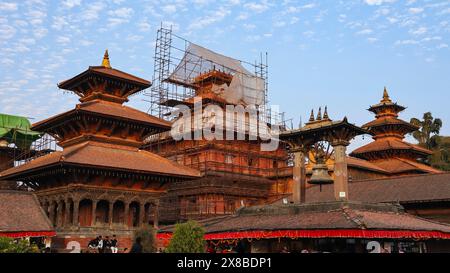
{"x": 245, "y": 88}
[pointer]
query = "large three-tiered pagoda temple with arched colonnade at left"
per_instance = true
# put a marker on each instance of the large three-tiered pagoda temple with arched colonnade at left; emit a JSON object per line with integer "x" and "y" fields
{"x": 100, "y": 183}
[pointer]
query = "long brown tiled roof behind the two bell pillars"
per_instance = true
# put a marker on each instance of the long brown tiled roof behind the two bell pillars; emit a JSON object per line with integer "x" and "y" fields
{"x": 403, "y": 189}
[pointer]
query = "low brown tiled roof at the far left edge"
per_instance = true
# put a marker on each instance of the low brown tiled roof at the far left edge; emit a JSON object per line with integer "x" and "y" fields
{"x": 20, "y": 211}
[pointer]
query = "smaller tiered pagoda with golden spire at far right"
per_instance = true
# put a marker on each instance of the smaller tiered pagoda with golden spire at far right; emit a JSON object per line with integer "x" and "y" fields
{"x": 389, "y": 151}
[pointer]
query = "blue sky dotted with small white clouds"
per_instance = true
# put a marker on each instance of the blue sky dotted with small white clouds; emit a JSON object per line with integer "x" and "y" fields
{"x": 335, "y": 53}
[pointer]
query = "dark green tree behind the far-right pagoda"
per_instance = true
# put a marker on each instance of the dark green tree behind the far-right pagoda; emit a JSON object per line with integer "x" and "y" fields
{"x": 428, "y": 130}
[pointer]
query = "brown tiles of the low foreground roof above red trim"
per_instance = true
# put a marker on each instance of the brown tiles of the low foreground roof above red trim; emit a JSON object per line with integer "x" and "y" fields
{"x": 326, "y": 216}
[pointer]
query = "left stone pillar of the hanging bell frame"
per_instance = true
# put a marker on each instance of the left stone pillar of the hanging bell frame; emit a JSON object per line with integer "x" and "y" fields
{"x": 299, "y": 177}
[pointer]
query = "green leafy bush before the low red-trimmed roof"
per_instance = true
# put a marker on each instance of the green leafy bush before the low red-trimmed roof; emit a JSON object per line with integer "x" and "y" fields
{"x": 187, "y": 238}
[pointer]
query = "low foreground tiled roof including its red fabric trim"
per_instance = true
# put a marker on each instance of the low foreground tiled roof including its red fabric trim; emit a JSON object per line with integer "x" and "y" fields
{"x": 322, "y": 220}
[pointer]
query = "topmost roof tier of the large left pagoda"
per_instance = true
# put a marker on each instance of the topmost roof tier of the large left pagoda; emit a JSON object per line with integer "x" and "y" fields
{"x": 106, "y": 72}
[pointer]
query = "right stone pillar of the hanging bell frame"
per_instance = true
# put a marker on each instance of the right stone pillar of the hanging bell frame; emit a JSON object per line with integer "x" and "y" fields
{"x": 340, "y": 171}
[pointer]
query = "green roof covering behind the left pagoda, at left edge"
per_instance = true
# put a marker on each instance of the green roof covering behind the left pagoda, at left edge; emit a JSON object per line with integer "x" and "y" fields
{"x": 16, "y": 130}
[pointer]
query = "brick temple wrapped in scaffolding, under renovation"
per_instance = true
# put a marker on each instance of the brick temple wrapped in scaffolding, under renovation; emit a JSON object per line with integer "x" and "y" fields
{"x": 235, "y": 173}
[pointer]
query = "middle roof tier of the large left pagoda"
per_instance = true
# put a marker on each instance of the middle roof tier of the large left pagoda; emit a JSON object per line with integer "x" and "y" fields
{"x": 107, "y": 109}
